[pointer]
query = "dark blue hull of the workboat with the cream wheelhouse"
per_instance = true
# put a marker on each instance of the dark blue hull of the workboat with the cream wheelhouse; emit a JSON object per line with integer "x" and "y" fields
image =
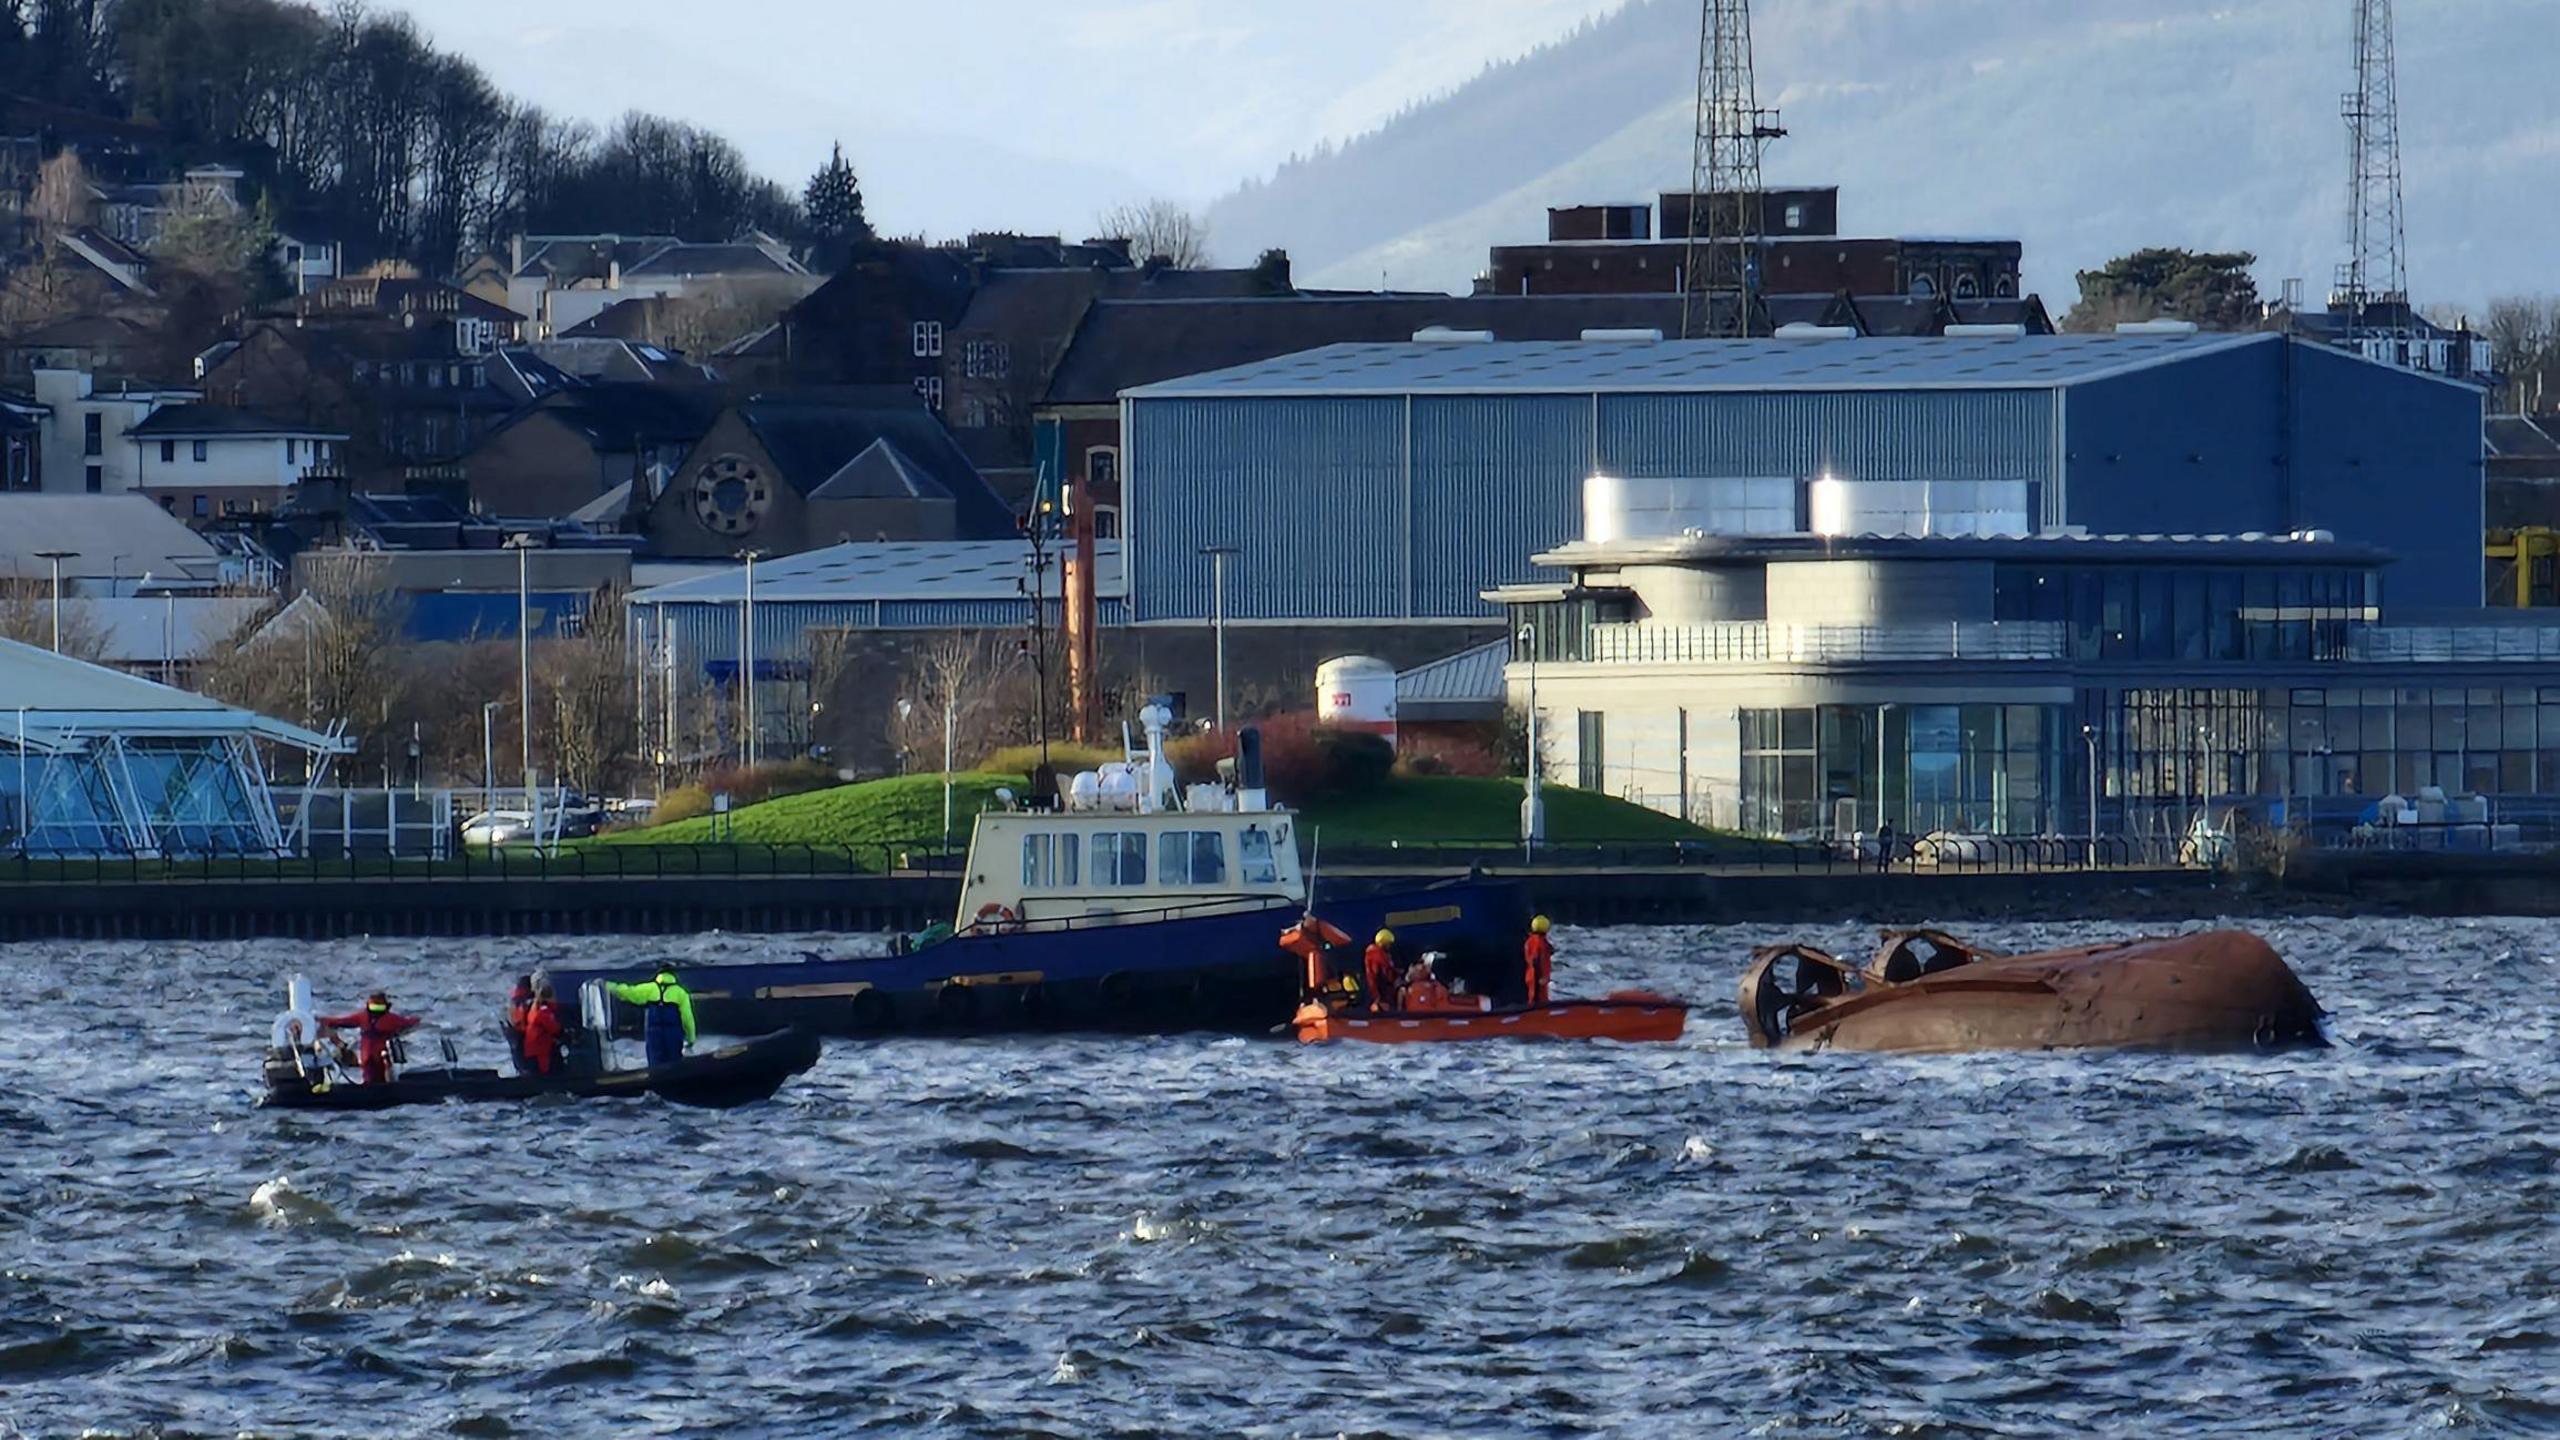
{"x": 1184, "y": 972}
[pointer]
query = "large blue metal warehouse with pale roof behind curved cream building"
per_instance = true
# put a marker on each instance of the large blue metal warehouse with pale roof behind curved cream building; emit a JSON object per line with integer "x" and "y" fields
{"x": 1399, "y": 483}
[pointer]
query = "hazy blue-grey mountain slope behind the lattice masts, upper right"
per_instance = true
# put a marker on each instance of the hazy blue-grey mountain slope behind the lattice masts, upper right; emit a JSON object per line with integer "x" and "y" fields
{"x": 2083, "y": 127}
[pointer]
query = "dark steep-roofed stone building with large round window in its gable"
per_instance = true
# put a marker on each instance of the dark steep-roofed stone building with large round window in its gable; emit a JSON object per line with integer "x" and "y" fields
{"x": 800, "y": 470}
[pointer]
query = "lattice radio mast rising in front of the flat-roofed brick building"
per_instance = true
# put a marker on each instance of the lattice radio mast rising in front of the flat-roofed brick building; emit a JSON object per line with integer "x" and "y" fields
{"x": 1727, "y": 232}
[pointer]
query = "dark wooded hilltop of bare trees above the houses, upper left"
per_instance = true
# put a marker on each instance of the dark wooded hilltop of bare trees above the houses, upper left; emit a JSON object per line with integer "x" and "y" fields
{"x": 355, "y": 119}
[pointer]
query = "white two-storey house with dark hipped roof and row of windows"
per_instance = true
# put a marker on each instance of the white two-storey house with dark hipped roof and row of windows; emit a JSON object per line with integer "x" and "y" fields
{"x": 206, "y": 462}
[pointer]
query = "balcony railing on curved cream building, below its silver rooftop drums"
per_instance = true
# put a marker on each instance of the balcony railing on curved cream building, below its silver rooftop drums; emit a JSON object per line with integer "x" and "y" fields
{"x": 1760, "y": 642}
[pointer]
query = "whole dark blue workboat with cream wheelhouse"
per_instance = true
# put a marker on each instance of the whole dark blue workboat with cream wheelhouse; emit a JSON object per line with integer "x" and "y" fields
{"x": 1130, "y": 906}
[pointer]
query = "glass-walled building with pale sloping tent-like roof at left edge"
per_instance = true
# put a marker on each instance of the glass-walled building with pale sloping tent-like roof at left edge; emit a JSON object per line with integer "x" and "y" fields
{"x": 99, "y": 762}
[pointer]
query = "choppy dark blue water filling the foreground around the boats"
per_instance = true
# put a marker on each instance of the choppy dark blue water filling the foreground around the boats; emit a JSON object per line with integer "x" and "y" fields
{"x": 1251, "y": 1239}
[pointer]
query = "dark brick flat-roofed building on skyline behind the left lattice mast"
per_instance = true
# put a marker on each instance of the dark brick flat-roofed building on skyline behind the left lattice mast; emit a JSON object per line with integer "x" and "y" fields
{"x": 1614, "y": 250}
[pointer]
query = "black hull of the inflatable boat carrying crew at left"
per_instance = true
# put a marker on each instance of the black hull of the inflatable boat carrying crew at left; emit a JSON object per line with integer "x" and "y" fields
{"x": 718, "y": 1080}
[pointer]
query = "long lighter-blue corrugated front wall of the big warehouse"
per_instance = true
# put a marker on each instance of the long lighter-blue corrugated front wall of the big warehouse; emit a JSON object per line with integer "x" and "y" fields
{"x": 1317, "y": 491}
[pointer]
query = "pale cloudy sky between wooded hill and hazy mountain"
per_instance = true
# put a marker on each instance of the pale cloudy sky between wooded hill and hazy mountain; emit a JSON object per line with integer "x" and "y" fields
{"x": 1002, "y": 114}
